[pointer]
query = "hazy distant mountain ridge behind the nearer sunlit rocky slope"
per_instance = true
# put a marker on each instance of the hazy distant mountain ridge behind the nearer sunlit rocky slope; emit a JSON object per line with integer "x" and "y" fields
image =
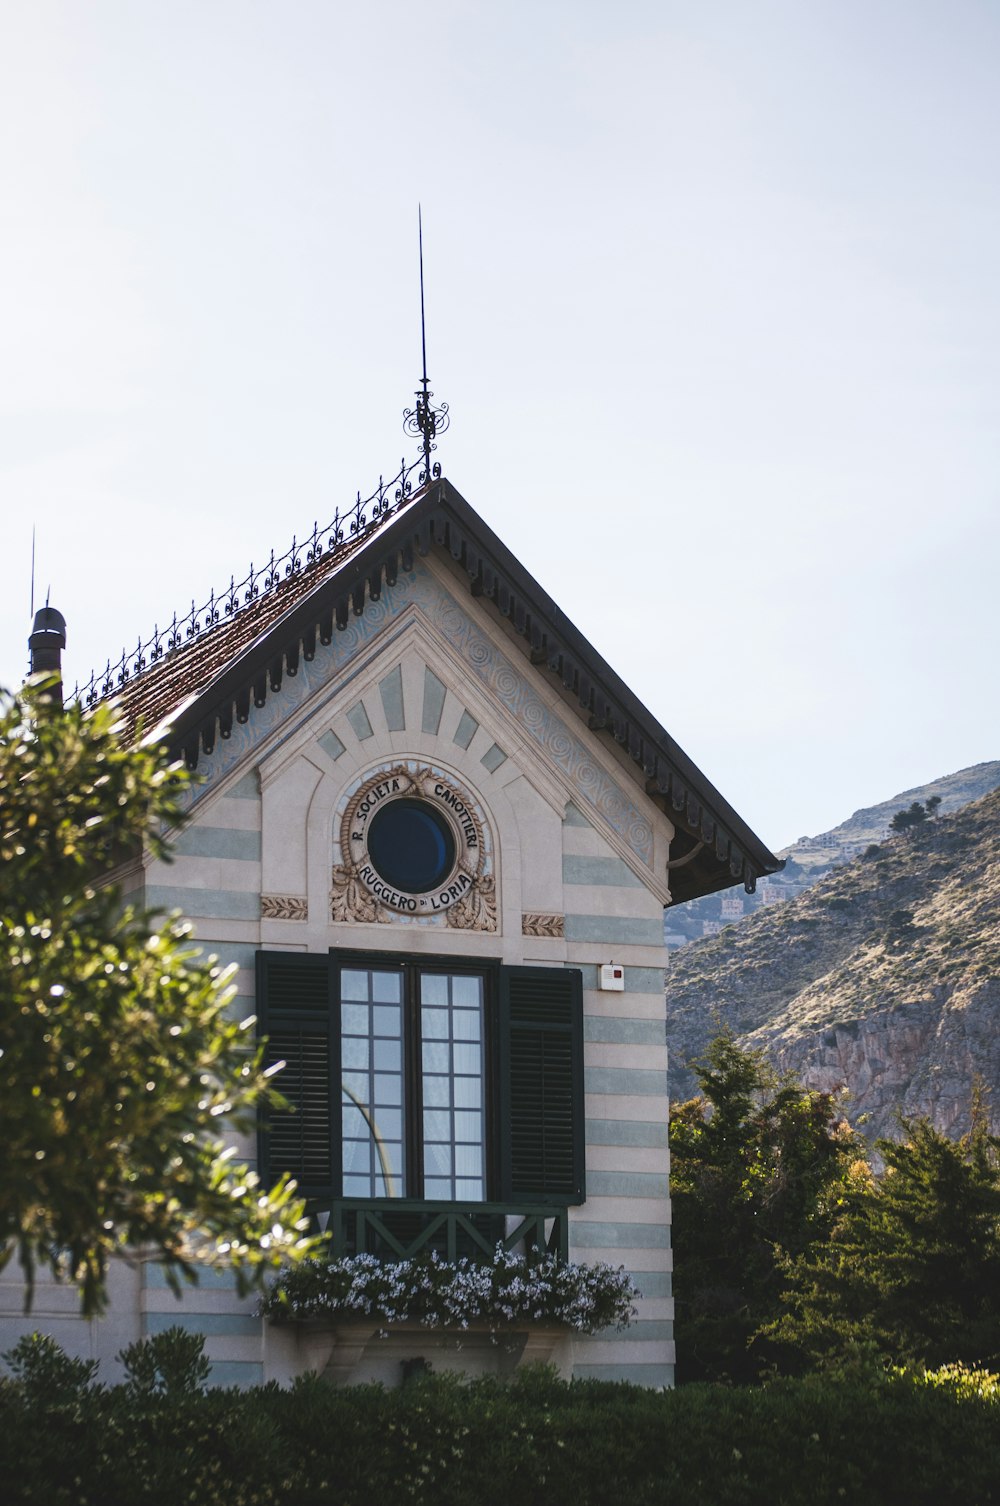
{"x": 811, "y": 859}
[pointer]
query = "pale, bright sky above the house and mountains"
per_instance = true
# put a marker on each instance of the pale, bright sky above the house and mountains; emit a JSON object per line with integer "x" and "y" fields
{"x": 712, "y": 294}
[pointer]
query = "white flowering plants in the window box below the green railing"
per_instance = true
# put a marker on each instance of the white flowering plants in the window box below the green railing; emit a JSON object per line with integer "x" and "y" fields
{"x": 508, "y": 1291}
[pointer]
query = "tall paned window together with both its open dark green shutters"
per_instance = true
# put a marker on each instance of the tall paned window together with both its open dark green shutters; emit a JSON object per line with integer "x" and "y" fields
{"x": 424, "y": 1079}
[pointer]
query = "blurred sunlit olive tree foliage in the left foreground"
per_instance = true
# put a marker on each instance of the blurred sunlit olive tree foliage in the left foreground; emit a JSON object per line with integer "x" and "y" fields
{"x": 121, "y": 1069}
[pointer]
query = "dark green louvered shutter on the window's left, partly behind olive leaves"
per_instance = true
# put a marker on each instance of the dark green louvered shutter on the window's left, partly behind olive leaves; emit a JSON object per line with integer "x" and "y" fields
{"x": 296, "y": 1013}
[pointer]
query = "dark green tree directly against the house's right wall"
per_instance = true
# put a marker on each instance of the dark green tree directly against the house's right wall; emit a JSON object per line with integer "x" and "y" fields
{"x": 758, "y": 1165}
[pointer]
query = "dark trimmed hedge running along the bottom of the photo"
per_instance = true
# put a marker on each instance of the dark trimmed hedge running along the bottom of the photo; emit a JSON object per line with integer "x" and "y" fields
{"x": 532, "y": 1440}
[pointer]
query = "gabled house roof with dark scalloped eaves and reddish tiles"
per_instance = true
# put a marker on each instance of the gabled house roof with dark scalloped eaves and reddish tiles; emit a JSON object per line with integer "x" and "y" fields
{"x": 227, "y": 686}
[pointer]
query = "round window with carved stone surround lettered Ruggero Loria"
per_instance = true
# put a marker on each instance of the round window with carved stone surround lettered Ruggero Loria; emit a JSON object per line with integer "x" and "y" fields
{"x": 415, "y": 826}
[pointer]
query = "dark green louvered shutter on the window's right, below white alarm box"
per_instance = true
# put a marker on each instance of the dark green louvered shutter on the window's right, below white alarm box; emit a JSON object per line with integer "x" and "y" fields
{"x": 541, "y": 1085}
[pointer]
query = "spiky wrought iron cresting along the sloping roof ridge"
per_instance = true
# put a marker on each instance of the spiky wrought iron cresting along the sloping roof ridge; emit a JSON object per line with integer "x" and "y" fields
{"x": 222, "y": 606}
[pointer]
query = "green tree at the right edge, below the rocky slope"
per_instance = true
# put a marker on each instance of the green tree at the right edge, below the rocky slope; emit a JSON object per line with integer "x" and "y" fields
{"x": 912, "y": 1272}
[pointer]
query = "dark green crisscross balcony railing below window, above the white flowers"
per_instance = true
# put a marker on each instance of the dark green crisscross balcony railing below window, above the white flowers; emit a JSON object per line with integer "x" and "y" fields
{"x": 400, "y": 1228}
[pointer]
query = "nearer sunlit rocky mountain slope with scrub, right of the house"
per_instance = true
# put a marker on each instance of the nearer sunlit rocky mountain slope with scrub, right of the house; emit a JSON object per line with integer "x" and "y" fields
{"x": 882, "y": 978}
